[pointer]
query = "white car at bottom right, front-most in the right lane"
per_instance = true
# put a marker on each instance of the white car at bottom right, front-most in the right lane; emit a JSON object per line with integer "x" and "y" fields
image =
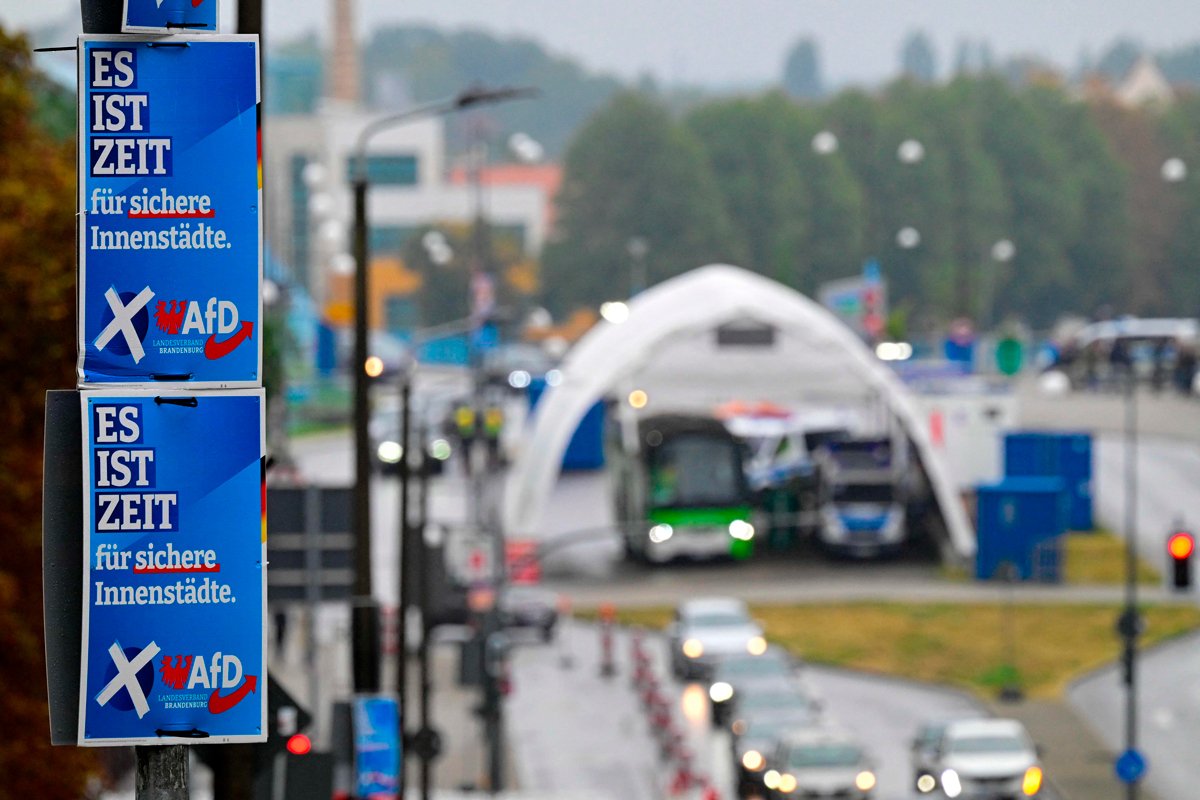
{"x": 988, "y": 760}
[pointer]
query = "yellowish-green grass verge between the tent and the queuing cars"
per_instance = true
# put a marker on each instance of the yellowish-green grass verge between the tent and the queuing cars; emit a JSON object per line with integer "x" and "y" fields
{"x": 958, "y": 645}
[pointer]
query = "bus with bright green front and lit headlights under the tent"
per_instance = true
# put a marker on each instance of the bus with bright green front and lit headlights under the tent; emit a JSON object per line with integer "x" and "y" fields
{"x": 681, "y": 491}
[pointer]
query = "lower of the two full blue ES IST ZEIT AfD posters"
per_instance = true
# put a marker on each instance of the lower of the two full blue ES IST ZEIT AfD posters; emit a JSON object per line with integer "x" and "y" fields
{"x": 175, "y": 569}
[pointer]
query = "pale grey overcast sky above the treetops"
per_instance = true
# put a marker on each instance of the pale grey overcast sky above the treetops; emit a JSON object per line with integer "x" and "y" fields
{"x": 736, "y": 43}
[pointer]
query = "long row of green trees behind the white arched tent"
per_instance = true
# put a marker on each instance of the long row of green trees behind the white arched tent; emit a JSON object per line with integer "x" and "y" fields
{"x": 1076, "y": 187}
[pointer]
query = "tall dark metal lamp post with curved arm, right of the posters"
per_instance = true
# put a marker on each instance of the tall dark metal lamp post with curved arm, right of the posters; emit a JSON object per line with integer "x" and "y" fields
{"x": 367, "y": 612}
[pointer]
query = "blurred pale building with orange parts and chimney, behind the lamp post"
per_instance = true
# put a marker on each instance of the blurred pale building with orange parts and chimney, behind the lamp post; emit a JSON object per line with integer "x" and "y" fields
{"x": 309, "y": 152}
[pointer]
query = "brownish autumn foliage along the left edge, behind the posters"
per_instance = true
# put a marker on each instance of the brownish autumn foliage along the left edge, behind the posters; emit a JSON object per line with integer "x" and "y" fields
{"x": 37, "y": 353}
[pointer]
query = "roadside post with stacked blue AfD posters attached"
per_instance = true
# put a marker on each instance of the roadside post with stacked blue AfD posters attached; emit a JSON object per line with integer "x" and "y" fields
{"x": 171, "y": 410}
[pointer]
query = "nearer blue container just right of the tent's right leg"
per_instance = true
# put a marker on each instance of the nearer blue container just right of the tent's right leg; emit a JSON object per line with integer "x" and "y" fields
{"x": 1021, "y": 522}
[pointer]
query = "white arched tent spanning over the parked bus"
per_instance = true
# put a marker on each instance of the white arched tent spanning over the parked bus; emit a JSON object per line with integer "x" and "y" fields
{"x": 815, "y": 358}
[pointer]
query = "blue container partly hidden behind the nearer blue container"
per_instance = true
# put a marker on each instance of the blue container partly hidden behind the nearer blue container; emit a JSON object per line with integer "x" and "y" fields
{"x": 1057, "y": 454}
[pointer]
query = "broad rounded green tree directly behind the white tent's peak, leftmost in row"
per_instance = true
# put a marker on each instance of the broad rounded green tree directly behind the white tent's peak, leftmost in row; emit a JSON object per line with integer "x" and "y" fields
{"x": 633, "y": 172}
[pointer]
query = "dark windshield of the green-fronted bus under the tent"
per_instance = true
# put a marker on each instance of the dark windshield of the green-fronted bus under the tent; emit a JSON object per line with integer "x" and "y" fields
{"x": 694, "y": 471}
